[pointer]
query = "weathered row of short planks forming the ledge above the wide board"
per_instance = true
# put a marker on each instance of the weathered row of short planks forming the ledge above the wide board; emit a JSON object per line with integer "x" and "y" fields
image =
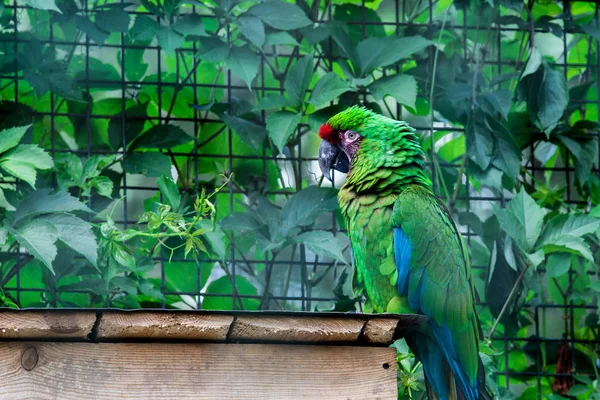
{"x": 213, "y": 326}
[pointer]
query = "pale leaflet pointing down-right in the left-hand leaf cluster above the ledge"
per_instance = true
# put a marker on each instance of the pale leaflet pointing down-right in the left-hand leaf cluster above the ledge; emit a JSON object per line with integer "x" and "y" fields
{"x": 75, "y": 233}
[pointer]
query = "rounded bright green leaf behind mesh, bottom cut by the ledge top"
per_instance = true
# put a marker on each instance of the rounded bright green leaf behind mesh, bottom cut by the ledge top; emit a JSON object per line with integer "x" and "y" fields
{"x": 223, "y": 287}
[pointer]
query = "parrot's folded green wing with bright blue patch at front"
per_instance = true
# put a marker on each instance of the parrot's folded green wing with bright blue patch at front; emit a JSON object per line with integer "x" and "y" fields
{"x": 434, "y": 274}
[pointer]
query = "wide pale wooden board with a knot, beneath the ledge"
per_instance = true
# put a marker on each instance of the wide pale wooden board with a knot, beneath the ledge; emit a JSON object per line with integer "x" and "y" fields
{"x": 133, "y": 371}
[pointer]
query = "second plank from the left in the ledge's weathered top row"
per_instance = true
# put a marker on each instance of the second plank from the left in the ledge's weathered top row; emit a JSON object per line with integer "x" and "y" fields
{"x": 147, "y": 325}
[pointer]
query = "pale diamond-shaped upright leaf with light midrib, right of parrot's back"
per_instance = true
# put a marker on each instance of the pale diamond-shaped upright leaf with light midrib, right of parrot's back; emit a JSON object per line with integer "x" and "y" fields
{"x": 521, "y": 220}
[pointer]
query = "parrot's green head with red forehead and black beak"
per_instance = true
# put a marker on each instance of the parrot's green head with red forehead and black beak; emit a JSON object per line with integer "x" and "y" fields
{"x": 359, "y": 137}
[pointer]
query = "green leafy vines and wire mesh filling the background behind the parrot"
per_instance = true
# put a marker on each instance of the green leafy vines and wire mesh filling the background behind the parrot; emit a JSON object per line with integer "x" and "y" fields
{"x": 162, "y": 154}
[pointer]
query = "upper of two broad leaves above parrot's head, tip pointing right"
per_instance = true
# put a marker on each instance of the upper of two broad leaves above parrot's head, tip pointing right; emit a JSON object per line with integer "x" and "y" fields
{"x": 379, "y": 52}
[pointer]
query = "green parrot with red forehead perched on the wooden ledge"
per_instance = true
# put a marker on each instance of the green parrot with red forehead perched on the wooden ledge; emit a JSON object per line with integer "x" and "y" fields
{"x": 408, "y": 254}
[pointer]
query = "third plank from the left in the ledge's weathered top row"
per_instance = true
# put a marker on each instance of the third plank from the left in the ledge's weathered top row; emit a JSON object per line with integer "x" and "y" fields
{"x": 295, "y": 329}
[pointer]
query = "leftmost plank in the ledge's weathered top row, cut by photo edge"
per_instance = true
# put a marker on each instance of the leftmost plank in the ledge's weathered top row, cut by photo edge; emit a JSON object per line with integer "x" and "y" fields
{"x": 42, "y": 324}
